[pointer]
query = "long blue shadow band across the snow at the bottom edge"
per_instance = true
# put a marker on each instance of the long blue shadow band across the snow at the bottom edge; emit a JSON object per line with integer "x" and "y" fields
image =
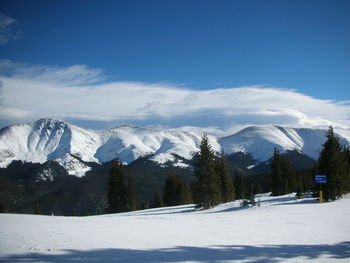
{"x": 267, "y": 253}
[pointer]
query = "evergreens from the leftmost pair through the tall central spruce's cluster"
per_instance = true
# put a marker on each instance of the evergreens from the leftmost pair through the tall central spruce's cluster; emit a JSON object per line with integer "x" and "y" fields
{"x": 214, "y": 184}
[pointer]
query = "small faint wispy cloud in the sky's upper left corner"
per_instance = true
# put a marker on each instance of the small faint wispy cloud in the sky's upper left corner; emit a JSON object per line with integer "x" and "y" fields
{"x": 8, "y": 29}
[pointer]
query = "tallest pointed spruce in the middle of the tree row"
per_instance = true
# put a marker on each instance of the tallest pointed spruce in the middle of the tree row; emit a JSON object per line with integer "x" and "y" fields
{"x": 207, "y": 188}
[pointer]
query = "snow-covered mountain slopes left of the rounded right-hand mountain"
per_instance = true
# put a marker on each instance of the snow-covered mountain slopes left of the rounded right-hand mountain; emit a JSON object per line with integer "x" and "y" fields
{"x": 71, "y": 145}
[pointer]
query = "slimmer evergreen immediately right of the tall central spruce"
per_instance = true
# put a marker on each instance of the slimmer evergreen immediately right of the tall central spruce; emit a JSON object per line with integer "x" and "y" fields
{"x": 226, "y": 181}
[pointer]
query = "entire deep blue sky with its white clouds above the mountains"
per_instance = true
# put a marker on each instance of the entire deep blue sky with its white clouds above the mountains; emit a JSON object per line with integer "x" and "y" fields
{"x": 299, "y": 47}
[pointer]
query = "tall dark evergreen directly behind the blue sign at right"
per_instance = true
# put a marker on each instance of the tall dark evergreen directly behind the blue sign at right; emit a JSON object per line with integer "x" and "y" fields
{"x": 332, "y": 164}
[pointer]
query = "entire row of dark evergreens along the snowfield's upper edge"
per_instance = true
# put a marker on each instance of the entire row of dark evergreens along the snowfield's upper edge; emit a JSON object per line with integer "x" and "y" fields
{"x": 214, "y": 183}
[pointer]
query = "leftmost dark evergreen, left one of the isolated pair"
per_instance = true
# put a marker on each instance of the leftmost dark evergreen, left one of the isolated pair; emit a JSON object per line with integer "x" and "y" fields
{"x": 117, "y": 192}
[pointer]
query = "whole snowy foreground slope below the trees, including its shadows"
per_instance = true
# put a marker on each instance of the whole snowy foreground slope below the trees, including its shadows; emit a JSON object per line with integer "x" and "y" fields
{"x": 282, "y": 229}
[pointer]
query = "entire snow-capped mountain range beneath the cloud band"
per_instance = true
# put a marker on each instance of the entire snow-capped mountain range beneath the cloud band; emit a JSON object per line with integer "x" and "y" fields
{"x": 72, "y": 147}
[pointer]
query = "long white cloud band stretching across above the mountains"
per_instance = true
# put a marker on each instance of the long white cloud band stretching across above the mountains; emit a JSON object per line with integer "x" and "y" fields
{"x": 68, "y": 93}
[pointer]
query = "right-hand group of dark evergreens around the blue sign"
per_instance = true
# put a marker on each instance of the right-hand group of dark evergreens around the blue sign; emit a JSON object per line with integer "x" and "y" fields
{"x": 333, "y": 162}
